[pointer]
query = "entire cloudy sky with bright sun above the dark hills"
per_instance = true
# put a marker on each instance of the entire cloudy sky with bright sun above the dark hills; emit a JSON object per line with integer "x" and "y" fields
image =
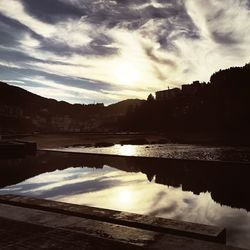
{"x": 89, "y": 51}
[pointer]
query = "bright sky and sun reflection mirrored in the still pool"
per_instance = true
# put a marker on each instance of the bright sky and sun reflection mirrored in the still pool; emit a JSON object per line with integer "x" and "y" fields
{"x": 132, "y": 192}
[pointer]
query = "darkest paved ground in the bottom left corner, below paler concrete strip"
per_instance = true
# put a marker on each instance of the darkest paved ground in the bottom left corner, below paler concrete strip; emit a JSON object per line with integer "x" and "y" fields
{"x": 18, "y": 235}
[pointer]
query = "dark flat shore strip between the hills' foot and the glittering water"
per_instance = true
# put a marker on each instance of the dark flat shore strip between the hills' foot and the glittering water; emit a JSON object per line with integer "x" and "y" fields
{"x": 110, "y": 139}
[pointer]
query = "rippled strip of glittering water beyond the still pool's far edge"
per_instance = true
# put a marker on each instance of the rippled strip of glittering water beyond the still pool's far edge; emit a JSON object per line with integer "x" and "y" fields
{"x": 176, "y": 151}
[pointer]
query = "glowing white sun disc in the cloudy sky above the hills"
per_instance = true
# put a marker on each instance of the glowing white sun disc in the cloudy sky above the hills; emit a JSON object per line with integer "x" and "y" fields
{"x": 126, "y": 73}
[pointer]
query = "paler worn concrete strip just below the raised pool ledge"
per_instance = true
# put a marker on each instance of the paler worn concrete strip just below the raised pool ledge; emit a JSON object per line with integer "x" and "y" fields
{"x": 56, "y": 221}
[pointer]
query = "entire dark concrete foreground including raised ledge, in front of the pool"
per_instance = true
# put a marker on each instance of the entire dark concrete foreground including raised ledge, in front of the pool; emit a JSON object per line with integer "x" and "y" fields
{"x": 28, "y": 223}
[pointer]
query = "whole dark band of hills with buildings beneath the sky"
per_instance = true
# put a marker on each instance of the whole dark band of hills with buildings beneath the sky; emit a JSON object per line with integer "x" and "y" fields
{"x": 219, "y": 108}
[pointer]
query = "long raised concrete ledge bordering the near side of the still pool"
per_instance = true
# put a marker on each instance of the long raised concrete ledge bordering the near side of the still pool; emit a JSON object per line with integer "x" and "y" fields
{"x": 178, "y": 228}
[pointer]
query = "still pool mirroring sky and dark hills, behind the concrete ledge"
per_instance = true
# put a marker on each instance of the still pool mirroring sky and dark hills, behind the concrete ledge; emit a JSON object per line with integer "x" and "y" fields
{"x": 209, "y": 193}
